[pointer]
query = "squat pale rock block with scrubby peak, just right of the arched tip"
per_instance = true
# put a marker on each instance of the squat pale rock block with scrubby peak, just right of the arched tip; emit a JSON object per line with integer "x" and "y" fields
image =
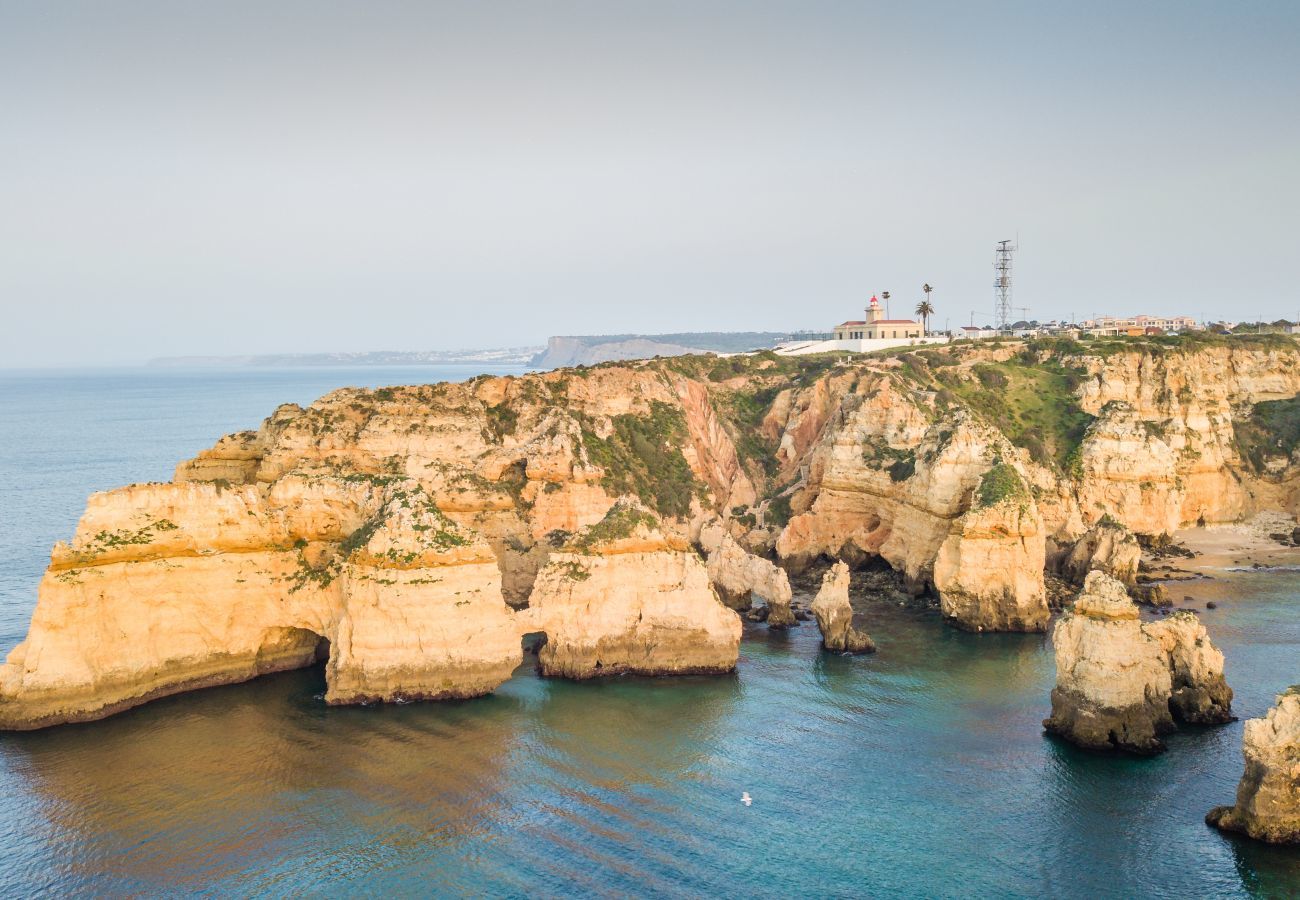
{"x": 626, "y": 599}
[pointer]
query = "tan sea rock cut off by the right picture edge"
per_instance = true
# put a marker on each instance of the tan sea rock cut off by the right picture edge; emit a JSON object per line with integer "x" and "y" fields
{"x": 1268, "y": 797}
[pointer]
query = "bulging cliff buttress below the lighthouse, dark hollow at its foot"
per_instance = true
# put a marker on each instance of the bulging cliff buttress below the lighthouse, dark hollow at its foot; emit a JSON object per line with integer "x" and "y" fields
{"x": 935, "y": 497}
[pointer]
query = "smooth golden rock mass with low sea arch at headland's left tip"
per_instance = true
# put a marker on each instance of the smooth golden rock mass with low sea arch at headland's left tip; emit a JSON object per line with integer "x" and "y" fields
{"x": 168, "y": 589}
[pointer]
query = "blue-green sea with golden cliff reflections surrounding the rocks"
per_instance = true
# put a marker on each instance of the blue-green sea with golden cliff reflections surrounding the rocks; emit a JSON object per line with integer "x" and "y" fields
{"x": 918, "y": 772}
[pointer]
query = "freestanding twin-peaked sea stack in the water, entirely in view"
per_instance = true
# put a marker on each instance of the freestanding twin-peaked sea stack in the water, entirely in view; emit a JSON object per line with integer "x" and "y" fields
{"x": 1123, "y": 683}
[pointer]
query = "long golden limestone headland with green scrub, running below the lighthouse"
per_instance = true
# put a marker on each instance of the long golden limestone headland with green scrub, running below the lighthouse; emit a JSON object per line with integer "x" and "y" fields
{"x": 957, "y": 468}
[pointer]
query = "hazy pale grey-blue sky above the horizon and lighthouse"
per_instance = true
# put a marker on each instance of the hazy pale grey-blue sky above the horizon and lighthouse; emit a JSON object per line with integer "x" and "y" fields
{"x": 252, "y": 178}
